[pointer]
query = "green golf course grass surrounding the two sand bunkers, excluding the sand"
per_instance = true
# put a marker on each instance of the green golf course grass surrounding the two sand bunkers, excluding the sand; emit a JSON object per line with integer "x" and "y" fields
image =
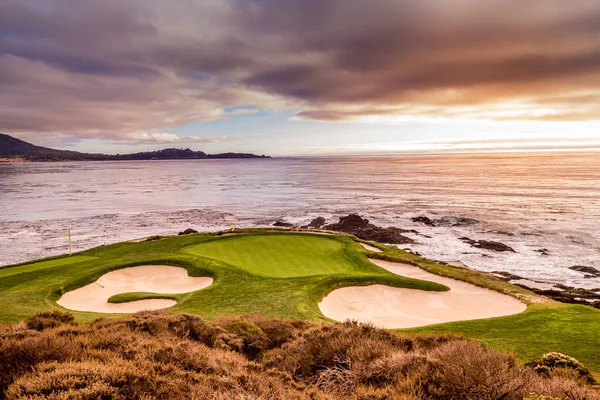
{"x": 285, "y": 275}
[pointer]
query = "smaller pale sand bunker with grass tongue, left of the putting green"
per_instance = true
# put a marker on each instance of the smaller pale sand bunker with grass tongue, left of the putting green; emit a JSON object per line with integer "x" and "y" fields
{"x": 161, "y": 279}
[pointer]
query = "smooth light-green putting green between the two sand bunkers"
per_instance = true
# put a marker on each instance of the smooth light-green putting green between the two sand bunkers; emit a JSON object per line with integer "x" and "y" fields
{"x": 279, "y": 256}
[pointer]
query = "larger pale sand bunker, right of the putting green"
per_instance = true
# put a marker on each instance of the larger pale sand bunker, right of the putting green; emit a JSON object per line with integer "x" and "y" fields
{"x": 390, "y": 307}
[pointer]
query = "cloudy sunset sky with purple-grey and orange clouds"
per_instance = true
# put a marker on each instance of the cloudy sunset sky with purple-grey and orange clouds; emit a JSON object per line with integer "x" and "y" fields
{"x": 301, "y": 77}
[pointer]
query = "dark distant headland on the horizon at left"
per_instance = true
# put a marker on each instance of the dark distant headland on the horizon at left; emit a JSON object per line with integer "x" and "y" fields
{"x": 17, "y": 150}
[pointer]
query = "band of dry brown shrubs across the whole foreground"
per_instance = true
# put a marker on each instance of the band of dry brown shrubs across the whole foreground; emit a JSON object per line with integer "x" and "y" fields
{"x": 179, "y": 356}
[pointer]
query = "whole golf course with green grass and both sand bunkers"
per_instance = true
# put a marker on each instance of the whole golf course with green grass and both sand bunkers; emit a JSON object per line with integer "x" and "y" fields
{"x": 290, "y": 275}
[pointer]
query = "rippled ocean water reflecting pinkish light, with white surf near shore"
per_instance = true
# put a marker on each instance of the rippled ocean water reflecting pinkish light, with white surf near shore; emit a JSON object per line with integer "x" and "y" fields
{"x": 531, "y": 202}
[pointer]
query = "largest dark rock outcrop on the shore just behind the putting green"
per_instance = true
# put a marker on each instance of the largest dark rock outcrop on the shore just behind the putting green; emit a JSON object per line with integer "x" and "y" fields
{"x": 361, "y": 227}
